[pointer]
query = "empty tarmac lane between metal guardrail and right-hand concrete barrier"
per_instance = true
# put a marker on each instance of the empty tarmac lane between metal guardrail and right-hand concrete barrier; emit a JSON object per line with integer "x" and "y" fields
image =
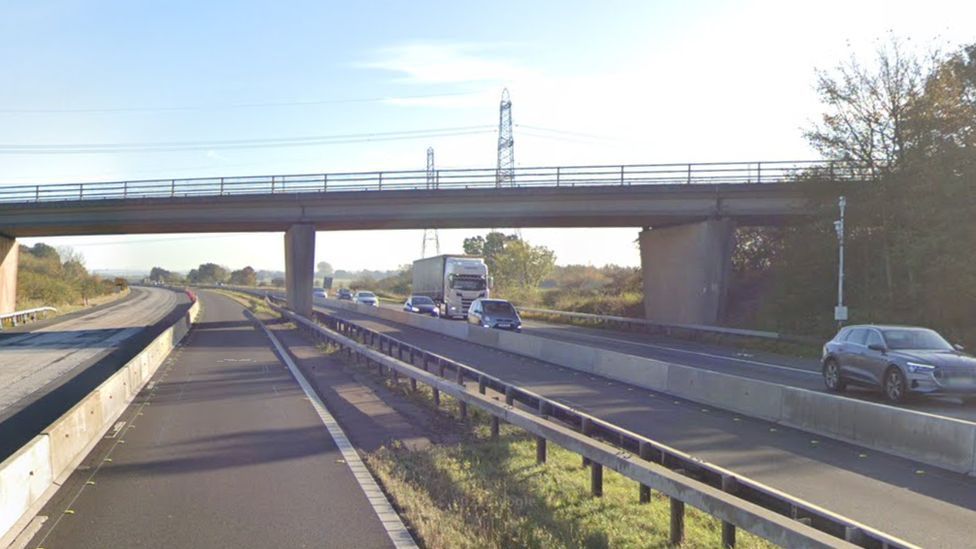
{"x": 919, "y": 503}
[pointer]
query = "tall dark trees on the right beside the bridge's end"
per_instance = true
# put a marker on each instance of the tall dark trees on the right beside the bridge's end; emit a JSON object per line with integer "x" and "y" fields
{"x": 910, "y": 120}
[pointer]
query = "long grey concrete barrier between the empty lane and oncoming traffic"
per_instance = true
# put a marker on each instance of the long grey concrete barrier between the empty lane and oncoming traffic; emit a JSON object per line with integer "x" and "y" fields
{"x": 935, "y": 440}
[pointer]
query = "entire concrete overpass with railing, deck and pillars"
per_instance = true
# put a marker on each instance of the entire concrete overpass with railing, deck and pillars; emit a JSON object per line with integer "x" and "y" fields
{"x": 688, "y": 213}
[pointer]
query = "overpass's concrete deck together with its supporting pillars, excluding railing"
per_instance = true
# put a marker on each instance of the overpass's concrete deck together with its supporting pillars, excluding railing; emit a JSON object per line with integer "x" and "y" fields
{"x": 684, "y": 257}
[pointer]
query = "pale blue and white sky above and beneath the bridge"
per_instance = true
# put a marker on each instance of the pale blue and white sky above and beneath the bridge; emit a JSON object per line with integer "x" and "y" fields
{"x": 634, "y": 81}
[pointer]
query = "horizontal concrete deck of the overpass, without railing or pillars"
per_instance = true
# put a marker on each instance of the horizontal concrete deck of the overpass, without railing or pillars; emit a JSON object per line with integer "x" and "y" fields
{"x": 657, "y": 206}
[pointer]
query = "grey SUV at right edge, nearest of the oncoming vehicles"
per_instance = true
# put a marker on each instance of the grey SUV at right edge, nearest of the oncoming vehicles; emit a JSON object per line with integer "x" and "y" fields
{"x": 899, "y": 361}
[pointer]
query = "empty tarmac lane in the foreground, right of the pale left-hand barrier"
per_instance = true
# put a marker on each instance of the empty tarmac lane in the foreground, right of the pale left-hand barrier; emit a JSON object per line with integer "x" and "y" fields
{"x": 222, "y": 449}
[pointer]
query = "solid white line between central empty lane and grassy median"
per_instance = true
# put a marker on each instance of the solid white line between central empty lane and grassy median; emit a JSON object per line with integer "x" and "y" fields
{"x": 394, "y": 527}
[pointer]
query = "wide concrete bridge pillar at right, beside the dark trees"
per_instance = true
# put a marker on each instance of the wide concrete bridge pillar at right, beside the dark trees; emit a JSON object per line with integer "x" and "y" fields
{"x": 686, "y": 269}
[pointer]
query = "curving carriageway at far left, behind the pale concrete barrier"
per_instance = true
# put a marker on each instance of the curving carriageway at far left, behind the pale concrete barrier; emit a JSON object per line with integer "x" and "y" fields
{"x": 47, "y": 367}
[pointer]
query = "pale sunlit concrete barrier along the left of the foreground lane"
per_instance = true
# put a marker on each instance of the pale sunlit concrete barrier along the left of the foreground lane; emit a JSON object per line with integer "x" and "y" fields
{"x": 32, "y": 475}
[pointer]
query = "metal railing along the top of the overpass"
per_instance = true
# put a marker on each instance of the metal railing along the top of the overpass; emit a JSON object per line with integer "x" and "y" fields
{"x": 475, "y": 178}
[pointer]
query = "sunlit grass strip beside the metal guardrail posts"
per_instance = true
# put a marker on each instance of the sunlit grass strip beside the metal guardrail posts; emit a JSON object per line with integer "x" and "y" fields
{"x": 477, "y": 492}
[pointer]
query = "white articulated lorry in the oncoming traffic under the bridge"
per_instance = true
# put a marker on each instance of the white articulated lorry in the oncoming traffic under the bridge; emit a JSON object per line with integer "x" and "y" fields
{"x": 452, "y": 281}
